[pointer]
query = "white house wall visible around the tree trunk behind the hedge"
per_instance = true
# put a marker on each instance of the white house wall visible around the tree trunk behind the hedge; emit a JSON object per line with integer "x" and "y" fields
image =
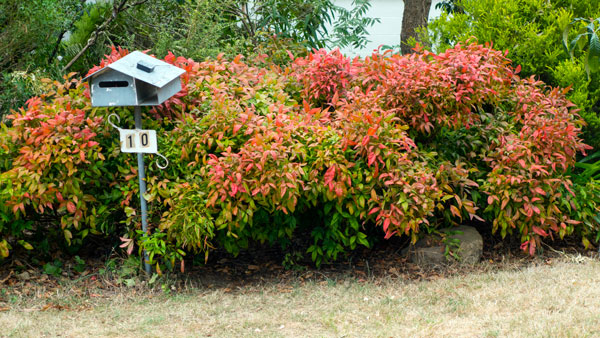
{"x": 387, "y": 31}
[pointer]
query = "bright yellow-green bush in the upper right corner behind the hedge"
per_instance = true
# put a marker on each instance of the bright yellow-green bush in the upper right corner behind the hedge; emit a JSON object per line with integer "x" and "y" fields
{"x": 532, "y": 32}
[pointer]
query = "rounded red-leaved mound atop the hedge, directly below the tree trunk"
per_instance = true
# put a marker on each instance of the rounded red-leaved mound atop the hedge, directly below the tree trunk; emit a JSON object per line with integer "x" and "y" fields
{"x": 428, "y": 91}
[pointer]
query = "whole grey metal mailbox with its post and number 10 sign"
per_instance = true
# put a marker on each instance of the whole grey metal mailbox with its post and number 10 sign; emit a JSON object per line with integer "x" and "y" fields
{"x": 136, "y": 80}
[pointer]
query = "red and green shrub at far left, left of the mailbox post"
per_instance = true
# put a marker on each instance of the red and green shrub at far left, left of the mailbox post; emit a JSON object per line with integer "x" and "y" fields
{"x": 57, "y": 160}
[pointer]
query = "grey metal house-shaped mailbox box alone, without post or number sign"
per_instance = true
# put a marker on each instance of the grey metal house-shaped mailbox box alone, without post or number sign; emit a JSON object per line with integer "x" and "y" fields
{"x": 134, "y": 80}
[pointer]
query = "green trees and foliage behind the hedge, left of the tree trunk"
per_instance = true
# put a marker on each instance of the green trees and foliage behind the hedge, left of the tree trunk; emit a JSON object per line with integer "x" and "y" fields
{"x": 43, "y": 38}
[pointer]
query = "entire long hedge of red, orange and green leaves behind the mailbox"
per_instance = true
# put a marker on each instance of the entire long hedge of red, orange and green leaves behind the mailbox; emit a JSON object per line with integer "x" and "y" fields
{"x": 317, "y": 157}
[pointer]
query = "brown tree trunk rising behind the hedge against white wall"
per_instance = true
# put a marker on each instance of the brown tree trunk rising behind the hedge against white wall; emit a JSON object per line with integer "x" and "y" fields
{"x": 416, "y": 14}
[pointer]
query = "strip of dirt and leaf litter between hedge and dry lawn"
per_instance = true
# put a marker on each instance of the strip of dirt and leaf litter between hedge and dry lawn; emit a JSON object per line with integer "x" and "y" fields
{"x": 35, "y": 285}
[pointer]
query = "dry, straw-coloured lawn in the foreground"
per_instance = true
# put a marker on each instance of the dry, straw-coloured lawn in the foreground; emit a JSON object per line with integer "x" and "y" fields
{"x": 560, "y": 299}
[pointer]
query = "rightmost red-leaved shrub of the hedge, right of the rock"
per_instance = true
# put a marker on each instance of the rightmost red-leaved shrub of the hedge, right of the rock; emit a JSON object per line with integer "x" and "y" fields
{"x": 527, "y": 180}
